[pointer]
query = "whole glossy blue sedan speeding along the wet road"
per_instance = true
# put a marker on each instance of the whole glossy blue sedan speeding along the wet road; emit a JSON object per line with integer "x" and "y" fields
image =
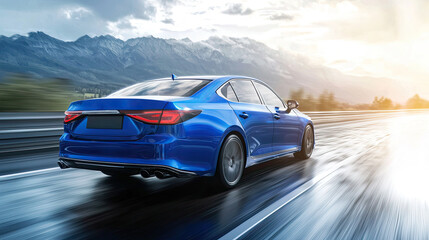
{"x": 212, "y": 126}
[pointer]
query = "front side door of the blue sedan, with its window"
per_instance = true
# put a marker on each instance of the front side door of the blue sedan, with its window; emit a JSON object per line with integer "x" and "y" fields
{"x": 286, "y": 124}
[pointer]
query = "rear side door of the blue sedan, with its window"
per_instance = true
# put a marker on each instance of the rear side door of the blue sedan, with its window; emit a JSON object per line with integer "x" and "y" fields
{"x": 255, "y": 118}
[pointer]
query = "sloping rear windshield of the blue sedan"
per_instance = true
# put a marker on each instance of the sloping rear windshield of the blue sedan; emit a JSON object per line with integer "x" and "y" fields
{"x": 179, "y": 88}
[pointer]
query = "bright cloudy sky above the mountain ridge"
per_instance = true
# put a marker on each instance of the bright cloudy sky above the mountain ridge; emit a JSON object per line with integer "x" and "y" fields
{"x": 378, "y": 38}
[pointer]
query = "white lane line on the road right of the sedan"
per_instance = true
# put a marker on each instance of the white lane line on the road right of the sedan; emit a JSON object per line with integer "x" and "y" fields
{"x": 249, "y": 224}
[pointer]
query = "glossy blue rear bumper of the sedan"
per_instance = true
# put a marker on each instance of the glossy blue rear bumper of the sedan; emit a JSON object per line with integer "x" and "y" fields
{"x": 188, "y": 156}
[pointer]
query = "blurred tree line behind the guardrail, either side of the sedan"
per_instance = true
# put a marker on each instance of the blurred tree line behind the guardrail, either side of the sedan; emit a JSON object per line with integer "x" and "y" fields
{"x": 20, "y": 92}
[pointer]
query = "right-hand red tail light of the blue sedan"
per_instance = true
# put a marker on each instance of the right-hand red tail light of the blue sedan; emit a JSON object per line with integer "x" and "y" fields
{"x": 163, "y": 117}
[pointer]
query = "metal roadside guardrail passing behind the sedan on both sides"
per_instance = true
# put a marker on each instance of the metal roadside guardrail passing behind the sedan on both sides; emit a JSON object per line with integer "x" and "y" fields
{"x": 25, "y": 131}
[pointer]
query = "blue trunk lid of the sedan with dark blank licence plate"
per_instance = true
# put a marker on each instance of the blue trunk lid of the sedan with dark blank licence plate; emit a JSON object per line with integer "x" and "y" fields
{"x": 105, "y": 118}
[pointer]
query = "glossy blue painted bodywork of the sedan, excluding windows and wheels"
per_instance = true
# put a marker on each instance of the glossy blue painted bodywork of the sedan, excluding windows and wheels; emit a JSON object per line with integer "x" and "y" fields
{"x": 192, "y": 145}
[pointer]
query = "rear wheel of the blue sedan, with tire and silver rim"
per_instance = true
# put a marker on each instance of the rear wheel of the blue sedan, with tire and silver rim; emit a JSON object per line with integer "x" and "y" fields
{"x": 230, "y": 165}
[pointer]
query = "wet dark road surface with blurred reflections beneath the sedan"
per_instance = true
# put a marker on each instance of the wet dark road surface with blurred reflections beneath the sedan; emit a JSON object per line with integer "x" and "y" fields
{"x": 377, "y": 189}
